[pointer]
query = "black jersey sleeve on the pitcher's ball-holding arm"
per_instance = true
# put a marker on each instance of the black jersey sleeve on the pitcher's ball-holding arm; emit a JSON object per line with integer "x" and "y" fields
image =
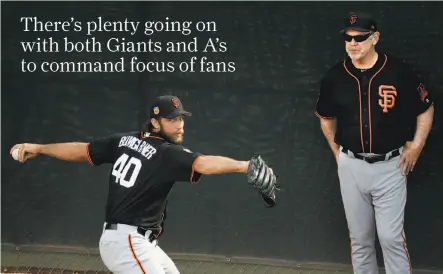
{"x": 102, "y": 150}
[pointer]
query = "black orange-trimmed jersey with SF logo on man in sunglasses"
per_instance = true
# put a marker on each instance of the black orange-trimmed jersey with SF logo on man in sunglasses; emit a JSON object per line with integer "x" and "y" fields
{"x": 376, "y": 109}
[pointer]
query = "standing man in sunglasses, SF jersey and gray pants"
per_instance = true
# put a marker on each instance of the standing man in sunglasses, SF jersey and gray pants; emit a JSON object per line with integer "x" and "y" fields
{"x": 369, "y": 105}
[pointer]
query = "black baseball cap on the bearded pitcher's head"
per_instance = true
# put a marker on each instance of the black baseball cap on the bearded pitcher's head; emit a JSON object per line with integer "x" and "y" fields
{"x": 167, "y": 106}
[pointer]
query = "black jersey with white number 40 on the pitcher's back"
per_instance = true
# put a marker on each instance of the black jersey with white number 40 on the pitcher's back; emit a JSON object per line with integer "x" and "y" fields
{"x": 144, "y": 169}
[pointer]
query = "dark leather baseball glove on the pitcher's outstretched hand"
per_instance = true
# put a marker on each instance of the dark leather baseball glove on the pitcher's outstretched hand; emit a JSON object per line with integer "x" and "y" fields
{"x": 261, "y": 177}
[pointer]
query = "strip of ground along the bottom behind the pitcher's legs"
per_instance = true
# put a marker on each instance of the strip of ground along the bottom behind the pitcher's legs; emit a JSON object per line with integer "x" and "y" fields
{"x": 55, "y": 263}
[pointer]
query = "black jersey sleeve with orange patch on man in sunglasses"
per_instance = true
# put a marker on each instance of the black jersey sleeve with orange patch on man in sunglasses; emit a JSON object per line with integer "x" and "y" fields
{"x": 419, "y": 97}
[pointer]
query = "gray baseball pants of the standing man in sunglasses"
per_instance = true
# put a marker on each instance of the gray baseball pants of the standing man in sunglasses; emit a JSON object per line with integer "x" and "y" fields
{"x": 374, "y": 197}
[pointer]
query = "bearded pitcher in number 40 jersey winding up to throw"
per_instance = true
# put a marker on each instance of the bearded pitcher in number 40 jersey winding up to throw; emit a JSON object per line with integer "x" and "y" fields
{"x": 144, "y": 167}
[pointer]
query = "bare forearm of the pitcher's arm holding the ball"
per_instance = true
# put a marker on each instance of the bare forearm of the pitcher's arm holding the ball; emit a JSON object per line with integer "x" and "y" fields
{"x": 73, "y": 152}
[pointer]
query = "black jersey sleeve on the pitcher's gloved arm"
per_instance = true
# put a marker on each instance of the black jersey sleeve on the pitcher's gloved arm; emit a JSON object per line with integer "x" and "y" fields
{"x": 181, "y": 162}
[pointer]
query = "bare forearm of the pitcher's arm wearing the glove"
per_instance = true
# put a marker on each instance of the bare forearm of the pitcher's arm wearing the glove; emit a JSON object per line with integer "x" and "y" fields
{"x": 219, "y": 165}
